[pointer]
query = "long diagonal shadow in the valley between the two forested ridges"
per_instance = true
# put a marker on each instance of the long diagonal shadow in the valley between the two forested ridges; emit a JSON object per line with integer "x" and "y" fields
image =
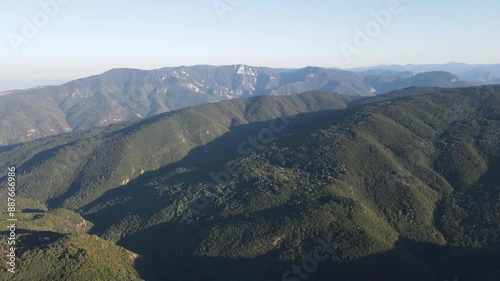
{"x": 143, "y": 196}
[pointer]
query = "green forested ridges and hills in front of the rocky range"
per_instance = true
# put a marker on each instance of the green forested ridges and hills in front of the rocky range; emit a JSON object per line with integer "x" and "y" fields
{"x": 401, "y": 186}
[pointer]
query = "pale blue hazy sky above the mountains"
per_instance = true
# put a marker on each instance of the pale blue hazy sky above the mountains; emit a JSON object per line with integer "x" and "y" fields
{"x": 87, "y": 37}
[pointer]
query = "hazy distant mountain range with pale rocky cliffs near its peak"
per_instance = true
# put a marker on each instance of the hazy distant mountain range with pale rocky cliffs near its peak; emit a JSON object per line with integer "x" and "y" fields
{"x": 130, "y": 94}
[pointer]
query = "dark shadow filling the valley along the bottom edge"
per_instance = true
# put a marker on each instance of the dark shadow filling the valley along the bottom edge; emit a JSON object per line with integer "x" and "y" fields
{"x": 170, "y": 246}
